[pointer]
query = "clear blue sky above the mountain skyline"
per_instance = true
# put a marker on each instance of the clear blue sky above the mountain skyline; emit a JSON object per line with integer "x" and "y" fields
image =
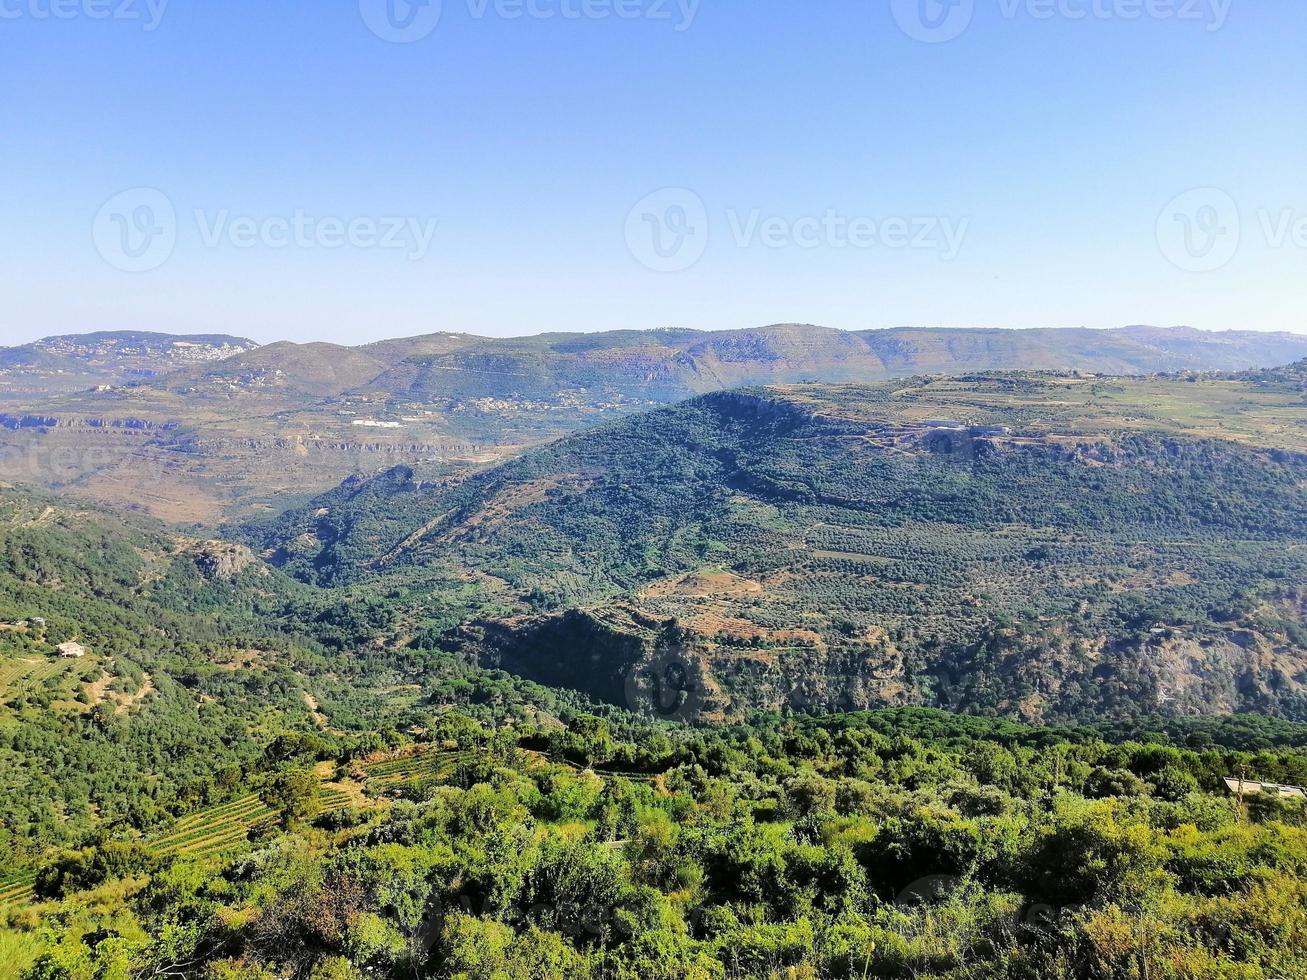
{"x": 521, "y": 167}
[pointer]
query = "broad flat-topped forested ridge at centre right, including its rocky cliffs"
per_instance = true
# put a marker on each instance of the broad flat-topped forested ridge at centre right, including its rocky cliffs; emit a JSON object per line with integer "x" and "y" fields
{"x": 1038, "y": 546}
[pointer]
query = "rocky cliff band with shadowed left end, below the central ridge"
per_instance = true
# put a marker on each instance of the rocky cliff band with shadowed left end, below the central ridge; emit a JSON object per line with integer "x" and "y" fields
{"x": 658, "y": 667}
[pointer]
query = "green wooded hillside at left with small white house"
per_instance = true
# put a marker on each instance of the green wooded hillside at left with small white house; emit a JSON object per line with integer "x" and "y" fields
{"x": 195, "y": 659}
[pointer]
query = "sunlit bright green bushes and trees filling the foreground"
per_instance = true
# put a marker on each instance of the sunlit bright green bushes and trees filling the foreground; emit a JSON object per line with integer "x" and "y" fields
{"x": 791, "y": 850}
